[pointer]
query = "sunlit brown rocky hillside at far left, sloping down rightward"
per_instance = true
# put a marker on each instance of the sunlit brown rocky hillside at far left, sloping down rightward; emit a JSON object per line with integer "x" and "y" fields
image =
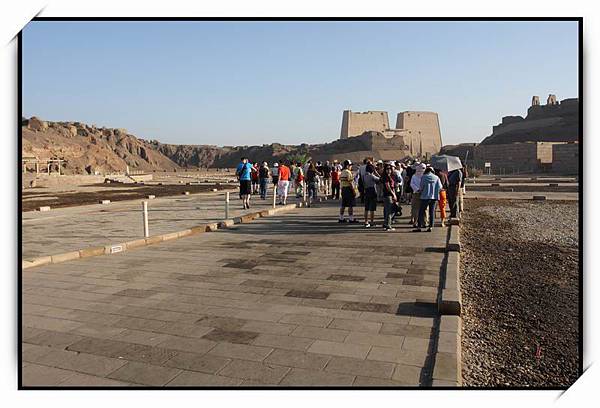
{"x": 88, "y": 149}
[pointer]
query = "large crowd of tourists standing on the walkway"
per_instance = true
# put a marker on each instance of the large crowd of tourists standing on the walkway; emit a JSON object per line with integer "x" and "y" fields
{"x": 411, "y": 182}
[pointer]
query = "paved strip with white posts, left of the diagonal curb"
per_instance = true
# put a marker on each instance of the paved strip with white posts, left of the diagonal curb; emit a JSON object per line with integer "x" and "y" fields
{"x": 70, "y": 229}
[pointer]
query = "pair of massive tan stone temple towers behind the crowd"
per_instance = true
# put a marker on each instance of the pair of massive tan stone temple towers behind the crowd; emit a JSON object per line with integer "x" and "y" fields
{"x": 418, "y": 132}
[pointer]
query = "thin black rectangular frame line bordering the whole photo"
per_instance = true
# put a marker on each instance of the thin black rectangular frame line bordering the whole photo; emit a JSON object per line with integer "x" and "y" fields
{"x": 579, "y": 20}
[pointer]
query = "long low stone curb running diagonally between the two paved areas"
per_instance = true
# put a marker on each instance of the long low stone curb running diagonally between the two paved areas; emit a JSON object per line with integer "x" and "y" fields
{"x": 155, "y": 239}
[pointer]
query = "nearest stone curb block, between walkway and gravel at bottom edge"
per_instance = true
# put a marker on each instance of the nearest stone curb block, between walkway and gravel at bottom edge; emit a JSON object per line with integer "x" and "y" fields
{"x": 447, "y": 369}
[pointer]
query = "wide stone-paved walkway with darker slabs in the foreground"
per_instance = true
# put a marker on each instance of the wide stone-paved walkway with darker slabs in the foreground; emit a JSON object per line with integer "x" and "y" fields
{"x": 296, "y": 299}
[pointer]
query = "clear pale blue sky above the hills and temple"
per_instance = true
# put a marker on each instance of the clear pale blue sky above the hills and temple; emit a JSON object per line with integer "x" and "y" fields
{"x": 238, "y": 83}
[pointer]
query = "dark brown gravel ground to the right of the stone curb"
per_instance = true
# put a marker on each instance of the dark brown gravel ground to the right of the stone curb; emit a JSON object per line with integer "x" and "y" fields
{"x": 519, "y": 282}
